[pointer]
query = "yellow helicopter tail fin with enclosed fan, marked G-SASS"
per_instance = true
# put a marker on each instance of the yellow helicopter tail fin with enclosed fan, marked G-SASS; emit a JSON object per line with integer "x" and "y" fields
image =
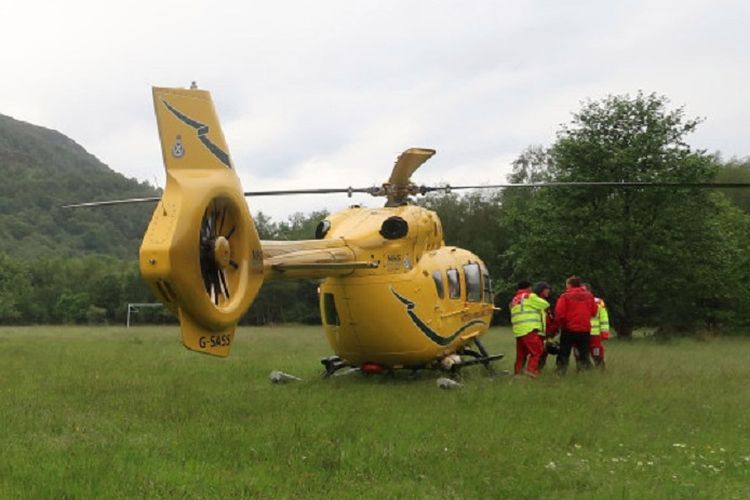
{"x": 201, "y": 254}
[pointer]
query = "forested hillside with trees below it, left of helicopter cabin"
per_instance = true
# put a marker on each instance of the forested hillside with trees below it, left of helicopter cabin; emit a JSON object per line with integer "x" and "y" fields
{"x": 80, "y": 265}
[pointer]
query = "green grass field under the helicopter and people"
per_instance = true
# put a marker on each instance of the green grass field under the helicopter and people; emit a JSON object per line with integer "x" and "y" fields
{"x": 113, "y": 413}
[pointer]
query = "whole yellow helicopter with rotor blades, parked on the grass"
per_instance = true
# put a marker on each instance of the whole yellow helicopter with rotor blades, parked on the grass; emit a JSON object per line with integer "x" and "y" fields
{"x": 392, "y": 296}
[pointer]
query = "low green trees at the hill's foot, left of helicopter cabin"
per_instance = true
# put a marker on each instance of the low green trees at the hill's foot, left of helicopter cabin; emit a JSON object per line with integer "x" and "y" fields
{"x": 96, "y": 289}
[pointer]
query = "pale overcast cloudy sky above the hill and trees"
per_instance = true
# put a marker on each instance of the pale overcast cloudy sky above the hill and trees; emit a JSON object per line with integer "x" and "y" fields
{"x": 327, "y": 93}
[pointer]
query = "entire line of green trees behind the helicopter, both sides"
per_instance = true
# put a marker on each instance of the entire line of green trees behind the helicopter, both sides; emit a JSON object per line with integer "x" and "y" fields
{"x": 673, "y": 258}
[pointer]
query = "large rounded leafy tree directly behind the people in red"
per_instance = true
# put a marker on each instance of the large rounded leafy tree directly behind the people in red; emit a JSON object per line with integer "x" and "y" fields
{"x": 656, "y": 254}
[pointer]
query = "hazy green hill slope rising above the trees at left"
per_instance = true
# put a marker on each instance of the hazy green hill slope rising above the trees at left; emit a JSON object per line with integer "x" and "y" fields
{"x": 43, "y": 169}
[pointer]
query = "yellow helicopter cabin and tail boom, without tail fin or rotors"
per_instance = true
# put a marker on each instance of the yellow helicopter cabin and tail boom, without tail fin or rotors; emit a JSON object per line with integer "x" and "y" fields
{"x": 403, "y": 301}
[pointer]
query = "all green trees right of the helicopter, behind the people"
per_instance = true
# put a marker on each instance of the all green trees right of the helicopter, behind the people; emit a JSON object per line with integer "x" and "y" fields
{"x": 673, "y": 258}
